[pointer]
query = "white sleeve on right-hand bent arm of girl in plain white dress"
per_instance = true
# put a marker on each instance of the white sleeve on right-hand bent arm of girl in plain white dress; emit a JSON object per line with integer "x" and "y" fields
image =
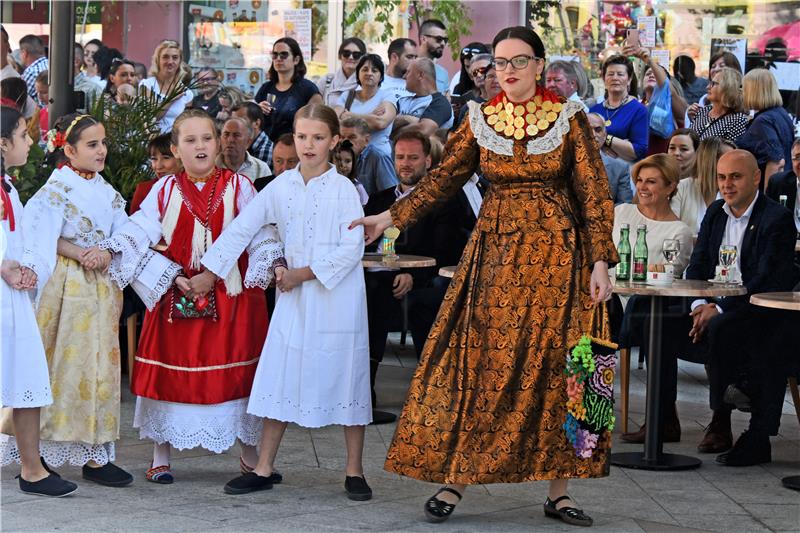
{"x": 334, "y": 266}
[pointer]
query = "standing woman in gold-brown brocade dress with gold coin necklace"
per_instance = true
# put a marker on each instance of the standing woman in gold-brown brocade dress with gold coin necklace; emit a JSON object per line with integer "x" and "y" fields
{"x": 488, "y": 402}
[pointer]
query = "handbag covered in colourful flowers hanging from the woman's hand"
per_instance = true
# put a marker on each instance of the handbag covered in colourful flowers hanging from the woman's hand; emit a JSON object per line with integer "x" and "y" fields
{"x": 590, "y": 386}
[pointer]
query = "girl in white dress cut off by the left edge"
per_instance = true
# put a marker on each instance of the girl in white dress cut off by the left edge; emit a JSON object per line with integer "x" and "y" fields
{"x": 25, "y": 383}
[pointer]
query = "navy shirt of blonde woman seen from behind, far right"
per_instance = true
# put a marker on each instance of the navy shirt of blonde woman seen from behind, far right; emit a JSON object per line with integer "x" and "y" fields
{"x": 769, "y": 137}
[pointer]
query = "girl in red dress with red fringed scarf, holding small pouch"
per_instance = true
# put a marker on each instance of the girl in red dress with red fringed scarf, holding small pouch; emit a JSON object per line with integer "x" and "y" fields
{"x": 201, "y": 338}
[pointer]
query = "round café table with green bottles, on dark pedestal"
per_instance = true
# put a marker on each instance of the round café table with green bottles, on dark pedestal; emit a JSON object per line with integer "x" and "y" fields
{"x": 653, "y": 457}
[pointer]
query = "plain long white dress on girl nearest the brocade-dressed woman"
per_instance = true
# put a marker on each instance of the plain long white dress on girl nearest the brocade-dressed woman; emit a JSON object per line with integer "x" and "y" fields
{"x": 314, "y": 367}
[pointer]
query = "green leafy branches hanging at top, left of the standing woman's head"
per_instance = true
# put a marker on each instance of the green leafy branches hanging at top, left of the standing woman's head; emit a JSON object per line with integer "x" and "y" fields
{"x": 453, "y": 13}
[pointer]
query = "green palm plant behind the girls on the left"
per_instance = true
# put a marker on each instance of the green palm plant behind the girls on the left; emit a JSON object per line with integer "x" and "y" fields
{"x": 129, "y": 128}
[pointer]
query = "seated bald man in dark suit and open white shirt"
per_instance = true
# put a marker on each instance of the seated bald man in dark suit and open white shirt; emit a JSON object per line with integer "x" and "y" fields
{"x": 728, "y": 332}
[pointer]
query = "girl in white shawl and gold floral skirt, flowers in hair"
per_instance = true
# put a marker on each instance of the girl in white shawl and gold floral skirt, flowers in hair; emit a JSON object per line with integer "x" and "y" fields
{"x": 78, "y": 305}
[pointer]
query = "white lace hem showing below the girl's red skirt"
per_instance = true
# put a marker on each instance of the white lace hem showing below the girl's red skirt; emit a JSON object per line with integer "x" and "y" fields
{"x": 213, "y": 427}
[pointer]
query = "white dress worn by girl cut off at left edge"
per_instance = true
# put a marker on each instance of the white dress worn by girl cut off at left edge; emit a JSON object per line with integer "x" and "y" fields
{"x": 24, "y": 371}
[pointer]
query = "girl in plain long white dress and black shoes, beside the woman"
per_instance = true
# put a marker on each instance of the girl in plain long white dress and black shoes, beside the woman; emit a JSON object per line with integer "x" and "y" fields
{"x": 314, "y": 368}
